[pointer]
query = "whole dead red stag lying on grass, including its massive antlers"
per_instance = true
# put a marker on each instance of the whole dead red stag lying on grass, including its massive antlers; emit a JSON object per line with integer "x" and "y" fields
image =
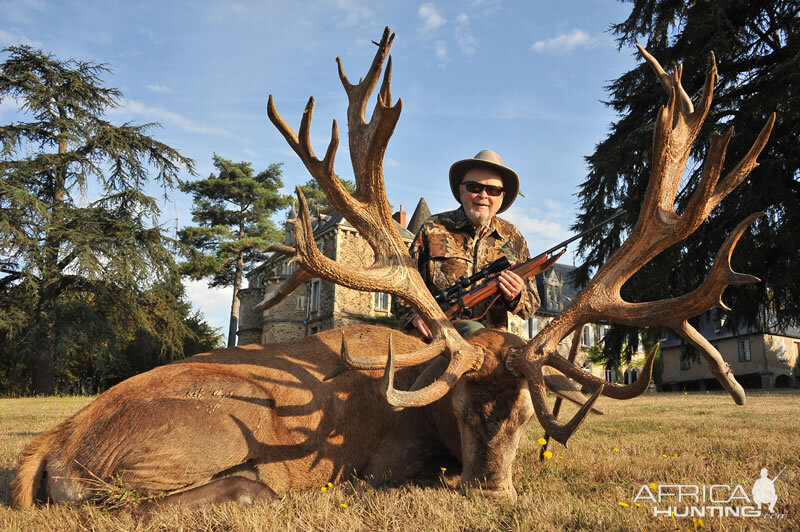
{"x": 248, "y": 422}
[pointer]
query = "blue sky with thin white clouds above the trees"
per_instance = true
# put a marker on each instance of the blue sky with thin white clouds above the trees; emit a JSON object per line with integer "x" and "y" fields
{"x": 523, "y": 78}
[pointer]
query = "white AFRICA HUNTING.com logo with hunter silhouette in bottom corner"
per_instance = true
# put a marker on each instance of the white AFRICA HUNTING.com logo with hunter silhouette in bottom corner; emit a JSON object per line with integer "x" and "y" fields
{"x": 717, "y": 500}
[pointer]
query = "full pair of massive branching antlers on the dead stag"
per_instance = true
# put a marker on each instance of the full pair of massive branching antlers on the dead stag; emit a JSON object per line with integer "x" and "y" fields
{"x": 657, "y": 228}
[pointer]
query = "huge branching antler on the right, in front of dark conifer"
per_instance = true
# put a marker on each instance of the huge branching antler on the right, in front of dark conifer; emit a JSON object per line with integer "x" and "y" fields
{"x": 657, "y": 228}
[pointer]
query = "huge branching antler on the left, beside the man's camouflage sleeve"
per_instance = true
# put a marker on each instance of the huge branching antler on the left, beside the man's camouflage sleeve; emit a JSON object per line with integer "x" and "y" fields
{"x": 368, "y": 211}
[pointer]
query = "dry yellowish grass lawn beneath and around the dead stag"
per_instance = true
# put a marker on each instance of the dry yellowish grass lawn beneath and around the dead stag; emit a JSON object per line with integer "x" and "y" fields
{"x": 701, "y": 439}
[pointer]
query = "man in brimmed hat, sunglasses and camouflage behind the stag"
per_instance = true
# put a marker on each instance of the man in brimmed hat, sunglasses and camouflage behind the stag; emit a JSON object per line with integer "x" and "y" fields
{"x": 460, "y": 242}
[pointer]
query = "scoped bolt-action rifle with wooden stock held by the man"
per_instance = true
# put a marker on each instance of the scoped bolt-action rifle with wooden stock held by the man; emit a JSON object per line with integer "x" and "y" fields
{"x": 458, "y": 300}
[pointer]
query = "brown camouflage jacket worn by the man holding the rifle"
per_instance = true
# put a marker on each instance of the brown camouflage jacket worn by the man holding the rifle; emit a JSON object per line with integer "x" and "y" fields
{"x": 447, "y": 247}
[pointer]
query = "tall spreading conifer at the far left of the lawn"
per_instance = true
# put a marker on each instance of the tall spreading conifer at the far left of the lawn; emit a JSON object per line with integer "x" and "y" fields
{"x": 79, "y": 277}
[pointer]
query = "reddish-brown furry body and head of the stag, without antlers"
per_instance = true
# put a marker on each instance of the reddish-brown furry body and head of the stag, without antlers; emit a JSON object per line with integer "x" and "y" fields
{"x": 264, "y": 413}
